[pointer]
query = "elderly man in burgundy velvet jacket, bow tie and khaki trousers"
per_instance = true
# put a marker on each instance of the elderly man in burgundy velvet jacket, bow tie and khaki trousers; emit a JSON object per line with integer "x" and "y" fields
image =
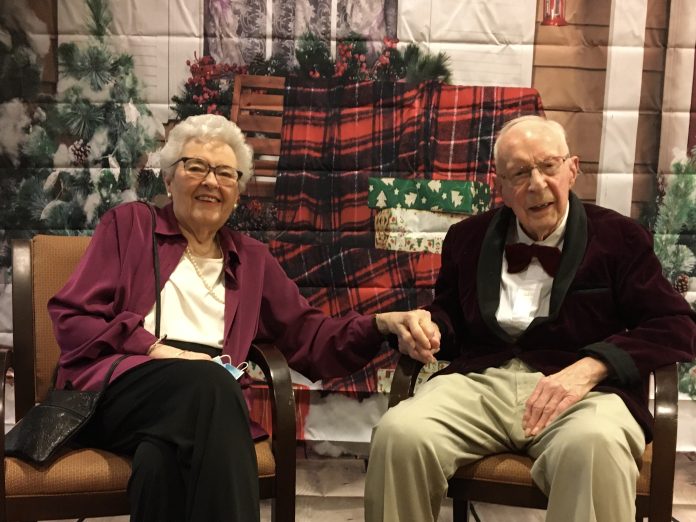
{"x": 553, "y": 312}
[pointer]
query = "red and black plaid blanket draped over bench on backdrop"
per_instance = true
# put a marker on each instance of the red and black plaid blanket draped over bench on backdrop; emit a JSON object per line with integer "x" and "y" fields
{"x": 334, "y": 138}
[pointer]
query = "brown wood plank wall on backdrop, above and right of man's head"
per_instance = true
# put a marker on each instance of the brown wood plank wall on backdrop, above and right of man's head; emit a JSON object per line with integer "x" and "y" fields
{"x": 569, "y": 71}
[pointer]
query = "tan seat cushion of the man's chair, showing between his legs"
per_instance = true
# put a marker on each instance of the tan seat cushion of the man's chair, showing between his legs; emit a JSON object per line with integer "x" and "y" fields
{"x": 511, "y": 468}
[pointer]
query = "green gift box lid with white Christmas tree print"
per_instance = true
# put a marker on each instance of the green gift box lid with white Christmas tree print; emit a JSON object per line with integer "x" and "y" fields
{"x": 469, "y": 197}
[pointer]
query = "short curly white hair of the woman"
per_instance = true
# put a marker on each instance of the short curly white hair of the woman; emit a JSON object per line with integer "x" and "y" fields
{"x": 208, "y": 127}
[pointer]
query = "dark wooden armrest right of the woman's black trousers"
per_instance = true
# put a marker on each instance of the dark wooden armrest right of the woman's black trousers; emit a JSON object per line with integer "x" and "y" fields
{"x": 275, "y": 369}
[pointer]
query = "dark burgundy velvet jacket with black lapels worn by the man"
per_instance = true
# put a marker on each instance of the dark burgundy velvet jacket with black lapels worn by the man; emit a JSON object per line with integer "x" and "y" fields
{"x": 609, "y": 300}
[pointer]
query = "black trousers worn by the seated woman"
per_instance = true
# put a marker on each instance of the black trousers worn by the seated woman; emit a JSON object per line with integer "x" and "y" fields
{"x": 185, "y": 424}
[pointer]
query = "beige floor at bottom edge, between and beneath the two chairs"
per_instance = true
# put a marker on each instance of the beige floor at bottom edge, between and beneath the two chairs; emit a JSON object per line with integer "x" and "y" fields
{"x": 330, "y": 490}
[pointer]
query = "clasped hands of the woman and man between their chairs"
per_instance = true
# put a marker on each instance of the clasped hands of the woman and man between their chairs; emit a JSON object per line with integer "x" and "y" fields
{"x": 419, "y": 337}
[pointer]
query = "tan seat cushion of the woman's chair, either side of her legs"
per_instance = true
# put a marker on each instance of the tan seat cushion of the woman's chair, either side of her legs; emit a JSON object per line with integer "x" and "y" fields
{"x": 90, "y": 470}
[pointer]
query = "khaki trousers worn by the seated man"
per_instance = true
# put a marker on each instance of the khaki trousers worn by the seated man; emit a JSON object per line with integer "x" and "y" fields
{"x": 585, "y": 460}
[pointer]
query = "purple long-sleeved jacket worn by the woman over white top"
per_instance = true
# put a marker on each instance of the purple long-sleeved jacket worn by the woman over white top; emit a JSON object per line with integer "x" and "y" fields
{"x": 99, "y": 313}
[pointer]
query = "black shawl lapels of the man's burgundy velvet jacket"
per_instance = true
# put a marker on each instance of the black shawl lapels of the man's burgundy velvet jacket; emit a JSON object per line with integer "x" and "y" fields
{"x": 491, "y": 262}
